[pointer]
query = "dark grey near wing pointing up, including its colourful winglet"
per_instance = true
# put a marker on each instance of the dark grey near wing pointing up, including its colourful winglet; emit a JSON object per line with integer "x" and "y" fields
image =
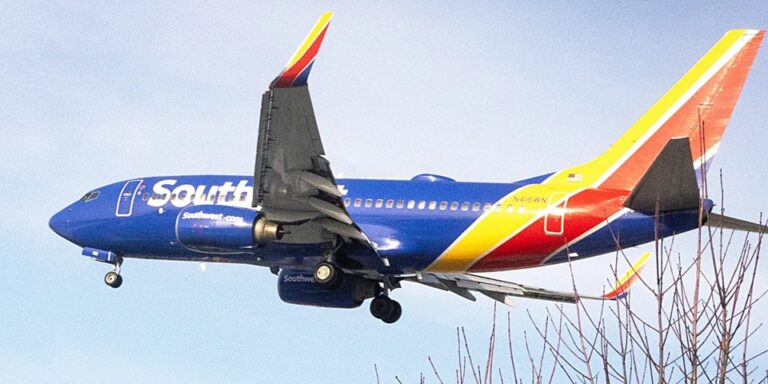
{"x": 293, "y": 182}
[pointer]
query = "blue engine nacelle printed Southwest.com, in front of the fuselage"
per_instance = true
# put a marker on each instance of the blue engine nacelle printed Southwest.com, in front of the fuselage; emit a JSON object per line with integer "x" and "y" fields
{"x": 216, "y": 228}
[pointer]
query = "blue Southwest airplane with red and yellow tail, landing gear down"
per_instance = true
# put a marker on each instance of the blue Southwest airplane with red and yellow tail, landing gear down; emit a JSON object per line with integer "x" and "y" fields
{"x": 338, "y": 242}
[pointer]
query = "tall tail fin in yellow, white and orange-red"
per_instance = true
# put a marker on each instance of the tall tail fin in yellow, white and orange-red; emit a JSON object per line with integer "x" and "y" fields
{"x": 698, "y": 107}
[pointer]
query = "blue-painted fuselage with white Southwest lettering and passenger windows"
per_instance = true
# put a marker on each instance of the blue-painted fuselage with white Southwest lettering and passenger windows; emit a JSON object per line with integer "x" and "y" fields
{"x": 410, "y": 222}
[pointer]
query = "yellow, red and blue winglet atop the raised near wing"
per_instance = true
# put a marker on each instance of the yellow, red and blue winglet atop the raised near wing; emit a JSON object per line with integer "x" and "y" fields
{"x": 296, "y": 72}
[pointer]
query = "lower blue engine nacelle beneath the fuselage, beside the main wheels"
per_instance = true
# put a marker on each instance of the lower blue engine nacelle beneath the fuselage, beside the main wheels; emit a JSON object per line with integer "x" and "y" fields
{"x": 300, "y": 288}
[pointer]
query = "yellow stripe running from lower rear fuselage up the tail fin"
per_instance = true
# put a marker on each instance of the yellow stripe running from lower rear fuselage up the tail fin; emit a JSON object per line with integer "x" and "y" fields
{"x": 494, "y": 228}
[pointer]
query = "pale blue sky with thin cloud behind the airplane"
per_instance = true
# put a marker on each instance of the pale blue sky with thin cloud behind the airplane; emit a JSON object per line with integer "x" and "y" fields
{"x": 98, "y": 92}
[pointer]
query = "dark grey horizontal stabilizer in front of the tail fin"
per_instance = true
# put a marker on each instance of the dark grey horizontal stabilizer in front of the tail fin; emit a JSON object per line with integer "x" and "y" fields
{"x": 670, "y": 181}
